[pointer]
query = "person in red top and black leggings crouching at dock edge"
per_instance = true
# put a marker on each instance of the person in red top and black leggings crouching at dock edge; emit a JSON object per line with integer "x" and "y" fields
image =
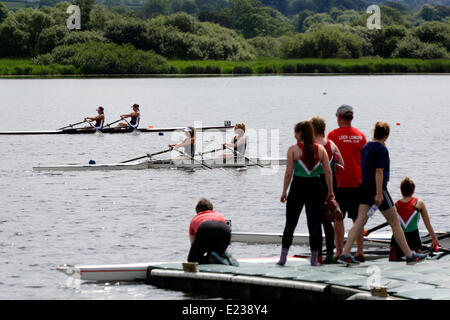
{"x": 208, "y": 232}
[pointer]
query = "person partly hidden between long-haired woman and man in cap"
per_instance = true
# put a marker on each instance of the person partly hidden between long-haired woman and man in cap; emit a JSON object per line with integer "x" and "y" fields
{"x": 334, "y": 156}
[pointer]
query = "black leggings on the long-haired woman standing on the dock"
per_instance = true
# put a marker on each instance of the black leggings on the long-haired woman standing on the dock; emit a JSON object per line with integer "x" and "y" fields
{"x": 304, "y": 192}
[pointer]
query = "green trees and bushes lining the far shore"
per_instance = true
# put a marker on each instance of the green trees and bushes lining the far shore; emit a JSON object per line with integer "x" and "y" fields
{"x": 115, "y": 40}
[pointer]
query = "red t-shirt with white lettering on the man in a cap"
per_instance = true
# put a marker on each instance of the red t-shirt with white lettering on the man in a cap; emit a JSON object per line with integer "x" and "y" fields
{"x": 350, "y": 142}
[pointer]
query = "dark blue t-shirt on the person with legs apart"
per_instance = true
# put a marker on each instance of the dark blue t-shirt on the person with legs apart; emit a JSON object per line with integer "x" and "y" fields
{"x": 374, "y": 155}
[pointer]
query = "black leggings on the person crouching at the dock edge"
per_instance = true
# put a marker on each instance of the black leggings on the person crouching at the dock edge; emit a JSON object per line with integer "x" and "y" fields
{"x": 210, "y": 236}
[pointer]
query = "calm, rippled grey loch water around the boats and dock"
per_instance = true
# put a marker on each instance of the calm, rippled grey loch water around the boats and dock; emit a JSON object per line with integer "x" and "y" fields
{"x": 48, "y": 219}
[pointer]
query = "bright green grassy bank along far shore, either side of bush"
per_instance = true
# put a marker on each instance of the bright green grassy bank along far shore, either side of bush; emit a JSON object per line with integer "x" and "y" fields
{"x": 24, "y": 67}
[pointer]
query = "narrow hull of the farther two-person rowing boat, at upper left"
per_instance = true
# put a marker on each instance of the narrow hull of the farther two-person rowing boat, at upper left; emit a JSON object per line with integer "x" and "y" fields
{"x": 110, "y": 130}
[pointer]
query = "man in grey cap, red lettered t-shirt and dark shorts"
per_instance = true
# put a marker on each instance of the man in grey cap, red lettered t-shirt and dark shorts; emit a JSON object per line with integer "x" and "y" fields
{"x": 350, "y": 142}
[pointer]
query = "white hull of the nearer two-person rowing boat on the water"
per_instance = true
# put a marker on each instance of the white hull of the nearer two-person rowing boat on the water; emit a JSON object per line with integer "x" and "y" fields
{"x": 167, "y": 164}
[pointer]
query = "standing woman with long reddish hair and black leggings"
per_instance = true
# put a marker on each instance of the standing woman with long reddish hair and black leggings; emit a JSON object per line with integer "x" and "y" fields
{"x": 303, "y": 168}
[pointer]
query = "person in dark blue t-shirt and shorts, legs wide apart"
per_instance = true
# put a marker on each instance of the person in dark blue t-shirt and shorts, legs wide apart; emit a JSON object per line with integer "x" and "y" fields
{"x": 375, "y": 173}
